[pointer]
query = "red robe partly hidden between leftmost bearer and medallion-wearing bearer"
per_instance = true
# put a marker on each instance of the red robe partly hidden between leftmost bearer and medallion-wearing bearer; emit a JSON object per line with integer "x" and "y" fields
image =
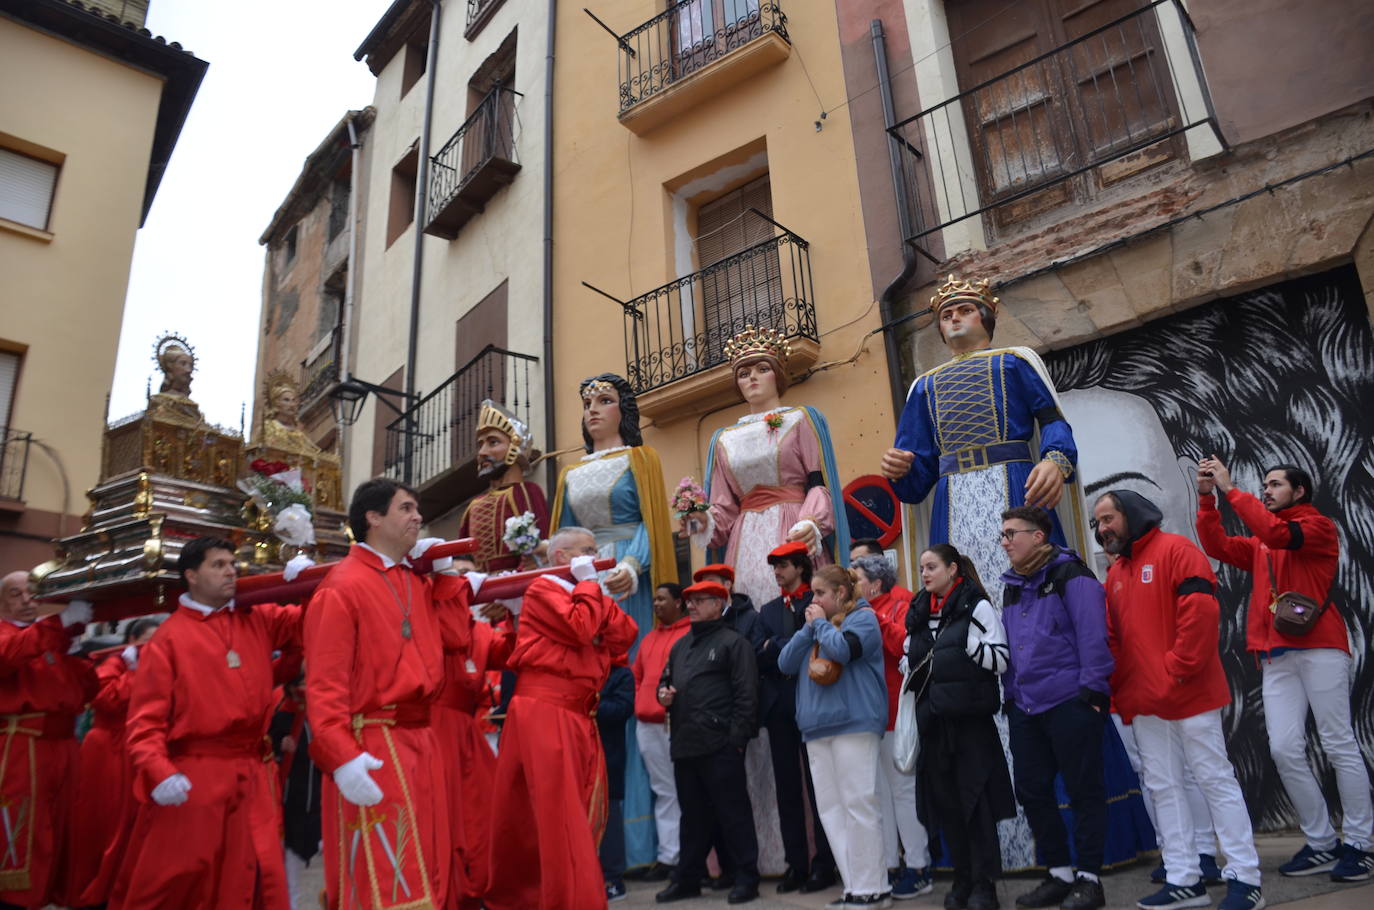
{"x": 105, "y": 802}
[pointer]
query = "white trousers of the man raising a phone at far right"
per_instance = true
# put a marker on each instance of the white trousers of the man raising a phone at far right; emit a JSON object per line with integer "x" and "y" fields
{"x": 1318, "y": 680}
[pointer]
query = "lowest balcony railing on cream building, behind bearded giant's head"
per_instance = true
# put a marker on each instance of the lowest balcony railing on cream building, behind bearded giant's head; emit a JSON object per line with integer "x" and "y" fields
{"x": 438, "y": 434}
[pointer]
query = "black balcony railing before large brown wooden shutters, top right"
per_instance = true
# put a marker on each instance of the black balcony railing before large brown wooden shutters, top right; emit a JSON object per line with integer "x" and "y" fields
{"x": 1103, "y": 97}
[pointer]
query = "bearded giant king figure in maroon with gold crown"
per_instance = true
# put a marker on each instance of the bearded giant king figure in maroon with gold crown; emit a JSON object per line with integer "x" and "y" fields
{"x": 504, "y": 450}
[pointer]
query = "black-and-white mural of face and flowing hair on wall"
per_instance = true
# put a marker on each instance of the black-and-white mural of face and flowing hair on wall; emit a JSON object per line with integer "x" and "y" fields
{"x": 1281, "y": 375}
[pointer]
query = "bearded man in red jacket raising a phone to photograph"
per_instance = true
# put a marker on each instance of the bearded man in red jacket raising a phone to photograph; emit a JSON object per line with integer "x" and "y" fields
{"x": 1296, "y": 549}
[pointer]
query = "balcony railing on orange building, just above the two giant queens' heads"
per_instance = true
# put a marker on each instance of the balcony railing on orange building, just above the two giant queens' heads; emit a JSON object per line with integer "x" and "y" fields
{"x": 682, "y": 328}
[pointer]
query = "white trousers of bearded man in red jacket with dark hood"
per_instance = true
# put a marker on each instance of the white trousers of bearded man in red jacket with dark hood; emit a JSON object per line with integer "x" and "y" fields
{"x": 1197, "y": 744}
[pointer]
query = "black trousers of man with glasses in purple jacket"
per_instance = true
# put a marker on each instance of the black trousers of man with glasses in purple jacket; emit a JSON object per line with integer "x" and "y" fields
{"x": 1066, "y": 740}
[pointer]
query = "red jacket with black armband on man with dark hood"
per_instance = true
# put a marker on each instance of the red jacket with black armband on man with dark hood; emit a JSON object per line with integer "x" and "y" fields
{"x": 1164, "y": 626}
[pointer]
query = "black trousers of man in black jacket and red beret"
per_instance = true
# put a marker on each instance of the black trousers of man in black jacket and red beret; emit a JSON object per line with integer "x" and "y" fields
{"x": 714, "y": 795}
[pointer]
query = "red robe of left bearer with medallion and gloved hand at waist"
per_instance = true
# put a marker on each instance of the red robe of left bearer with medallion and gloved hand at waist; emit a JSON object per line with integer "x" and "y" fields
{"x": 201, "y": 704}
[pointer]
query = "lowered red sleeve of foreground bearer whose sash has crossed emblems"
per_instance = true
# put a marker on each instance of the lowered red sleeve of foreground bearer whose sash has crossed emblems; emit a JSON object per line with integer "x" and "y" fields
{"x": 330, "y": 647}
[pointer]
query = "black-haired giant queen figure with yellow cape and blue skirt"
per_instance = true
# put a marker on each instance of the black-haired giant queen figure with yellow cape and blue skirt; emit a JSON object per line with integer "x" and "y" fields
{"x": 618, "y": 493}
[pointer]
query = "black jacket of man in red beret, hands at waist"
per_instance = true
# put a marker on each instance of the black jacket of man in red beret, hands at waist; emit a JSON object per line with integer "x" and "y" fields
{"x": 714, "y": 670}
